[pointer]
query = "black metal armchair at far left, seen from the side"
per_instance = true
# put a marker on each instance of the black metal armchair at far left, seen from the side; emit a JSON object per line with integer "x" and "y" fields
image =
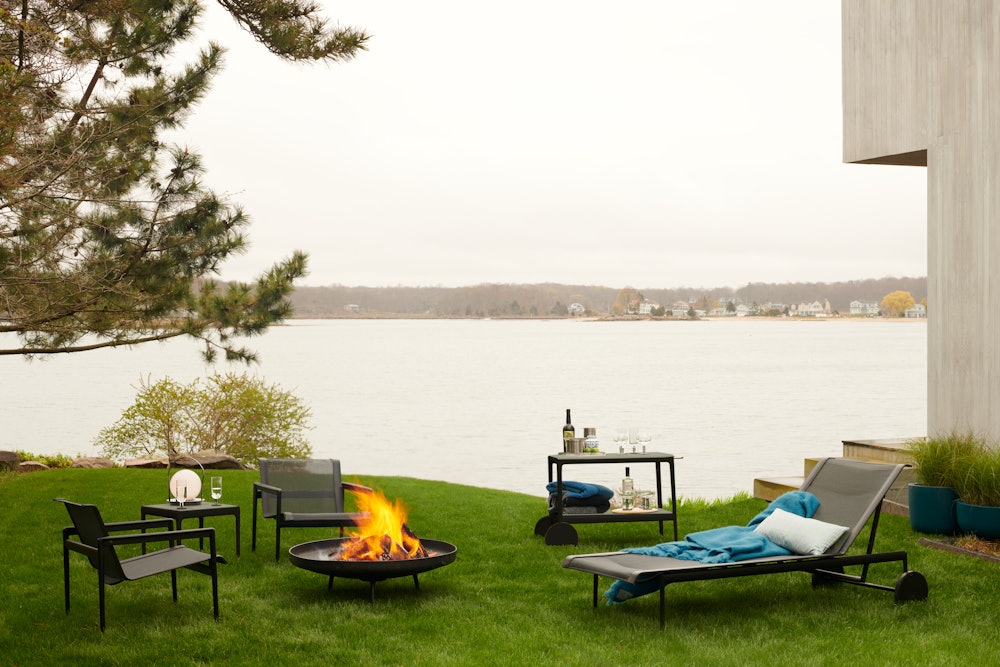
{"x": 93, "y": 539}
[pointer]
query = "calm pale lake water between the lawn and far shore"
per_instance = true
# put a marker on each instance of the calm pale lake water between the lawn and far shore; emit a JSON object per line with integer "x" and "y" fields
{"x": 482, "y": 402}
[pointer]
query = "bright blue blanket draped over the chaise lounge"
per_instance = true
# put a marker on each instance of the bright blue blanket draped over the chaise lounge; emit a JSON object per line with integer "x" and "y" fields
{"x": 719, "y": 545}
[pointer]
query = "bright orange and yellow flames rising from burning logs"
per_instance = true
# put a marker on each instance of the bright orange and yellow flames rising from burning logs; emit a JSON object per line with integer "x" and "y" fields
{"x": 382, "y": 533}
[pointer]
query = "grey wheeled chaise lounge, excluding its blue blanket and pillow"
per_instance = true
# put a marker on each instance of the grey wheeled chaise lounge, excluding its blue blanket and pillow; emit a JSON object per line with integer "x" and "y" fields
{"x": 825, "y": 569}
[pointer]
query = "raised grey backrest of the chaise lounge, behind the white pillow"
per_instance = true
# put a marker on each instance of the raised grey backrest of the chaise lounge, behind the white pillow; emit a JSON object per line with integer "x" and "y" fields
{"x": 849, "y": 492}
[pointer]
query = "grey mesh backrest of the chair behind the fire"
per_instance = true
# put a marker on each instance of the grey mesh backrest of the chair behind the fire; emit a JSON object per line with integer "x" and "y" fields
{"x": 307, "y": 485}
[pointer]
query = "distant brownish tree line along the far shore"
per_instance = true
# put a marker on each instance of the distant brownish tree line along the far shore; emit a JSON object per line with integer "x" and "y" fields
{"x": 552, "y": 300}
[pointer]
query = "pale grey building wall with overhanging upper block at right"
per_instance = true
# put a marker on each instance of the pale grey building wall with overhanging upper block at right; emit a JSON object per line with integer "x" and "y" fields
{"x": 922, "y": 87}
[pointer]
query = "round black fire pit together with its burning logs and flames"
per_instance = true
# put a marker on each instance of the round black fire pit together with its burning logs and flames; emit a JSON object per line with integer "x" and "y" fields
{"x": 384, "y": 548}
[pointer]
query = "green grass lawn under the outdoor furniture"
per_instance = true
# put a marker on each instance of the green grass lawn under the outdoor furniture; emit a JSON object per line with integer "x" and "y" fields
{"x": 505, "y": 600}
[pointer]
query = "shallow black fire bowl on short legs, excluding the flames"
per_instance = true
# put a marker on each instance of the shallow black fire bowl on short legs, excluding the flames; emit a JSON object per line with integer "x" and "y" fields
{"x": 315, "y": 557}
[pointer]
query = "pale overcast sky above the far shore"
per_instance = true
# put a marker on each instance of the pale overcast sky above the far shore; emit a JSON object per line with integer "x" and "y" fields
{"x": 642, "y": 143}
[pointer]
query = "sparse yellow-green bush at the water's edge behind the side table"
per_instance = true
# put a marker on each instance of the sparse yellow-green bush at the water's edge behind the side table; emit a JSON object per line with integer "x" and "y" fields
{"x": 234, "y": 414}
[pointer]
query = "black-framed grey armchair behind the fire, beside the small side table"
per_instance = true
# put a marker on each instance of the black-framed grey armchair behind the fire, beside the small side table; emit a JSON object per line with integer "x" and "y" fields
{"x": 302, "y": 493}
